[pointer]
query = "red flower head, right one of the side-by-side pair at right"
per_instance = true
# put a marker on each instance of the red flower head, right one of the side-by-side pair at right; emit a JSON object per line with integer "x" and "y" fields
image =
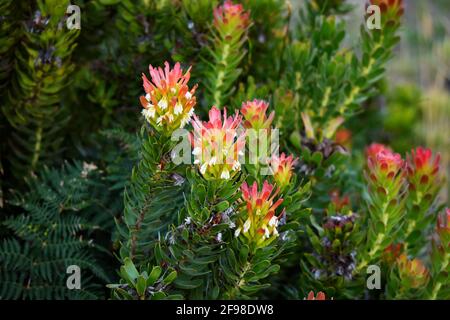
{"x": 423, "y": 170}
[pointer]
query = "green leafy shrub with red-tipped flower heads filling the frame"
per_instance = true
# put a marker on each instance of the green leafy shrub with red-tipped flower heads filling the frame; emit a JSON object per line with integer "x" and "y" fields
{"x": 278, "y": 194}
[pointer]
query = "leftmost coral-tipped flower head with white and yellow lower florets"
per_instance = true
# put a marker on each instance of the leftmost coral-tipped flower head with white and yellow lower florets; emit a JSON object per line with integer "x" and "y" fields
{"x": 168, "y": 103}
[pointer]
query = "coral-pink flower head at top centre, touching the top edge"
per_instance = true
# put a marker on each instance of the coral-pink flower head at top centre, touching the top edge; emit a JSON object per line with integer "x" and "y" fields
{"x": 231, "y": 18}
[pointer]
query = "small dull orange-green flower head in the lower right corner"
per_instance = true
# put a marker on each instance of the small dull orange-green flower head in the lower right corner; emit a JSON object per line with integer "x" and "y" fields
{"x": 412, "y": 271}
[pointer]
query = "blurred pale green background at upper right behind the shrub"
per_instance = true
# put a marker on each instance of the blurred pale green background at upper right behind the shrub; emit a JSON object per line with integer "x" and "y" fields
{"x": 416, "y": 105}
